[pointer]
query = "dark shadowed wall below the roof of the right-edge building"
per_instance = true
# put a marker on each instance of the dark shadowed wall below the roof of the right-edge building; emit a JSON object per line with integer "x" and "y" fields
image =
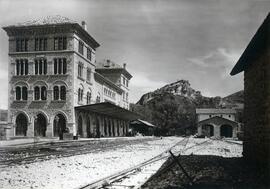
{"x": 256, "y": 146}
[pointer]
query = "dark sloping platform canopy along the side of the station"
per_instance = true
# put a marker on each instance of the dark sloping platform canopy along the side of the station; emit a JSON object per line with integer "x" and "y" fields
{"x": 109, "y": 109}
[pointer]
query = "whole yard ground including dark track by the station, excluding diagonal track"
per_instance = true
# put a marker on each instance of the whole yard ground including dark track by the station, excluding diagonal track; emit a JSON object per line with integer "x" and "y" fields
{"x": 75, "y": 164}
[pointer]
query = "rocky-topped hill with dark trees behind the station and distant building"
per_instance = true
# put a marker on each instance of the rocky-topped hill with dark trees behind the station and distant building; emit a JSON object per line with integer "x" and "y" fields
{"x": 173, "y": 106}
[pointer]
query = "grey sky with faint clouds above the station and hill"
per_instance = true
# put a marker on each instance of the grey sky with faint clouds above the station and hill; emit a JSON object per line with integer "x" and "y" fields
{"x": 161, "y": 41}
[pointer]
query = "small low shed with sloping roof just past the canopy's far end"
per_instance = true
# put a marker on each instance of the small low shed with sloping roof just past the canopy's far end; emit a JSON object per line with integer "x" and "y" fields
{"x": 143, "y": 127}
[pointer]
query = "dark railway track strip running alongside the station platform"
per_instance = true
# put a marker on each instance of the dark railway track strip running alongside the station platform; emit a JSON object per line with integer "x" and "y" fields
{"x": 50, "y": 151}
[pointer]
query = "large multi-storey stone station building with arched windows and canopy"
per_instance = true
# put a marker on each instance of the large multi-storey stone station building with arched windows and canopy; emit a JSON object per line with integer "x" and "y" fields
{"x": 56, "y": 86}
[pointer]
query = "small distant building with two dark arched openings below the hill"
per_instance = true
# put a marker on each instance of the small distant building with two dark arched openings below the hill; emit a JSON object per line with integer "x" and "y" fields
{"x": 217, "y": 122}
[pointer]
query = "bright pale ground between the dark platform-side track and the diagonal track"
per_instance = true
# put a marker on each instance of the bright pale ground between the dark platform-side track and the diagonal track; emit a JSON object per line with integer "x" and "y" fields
{"x": 79, "y": 170}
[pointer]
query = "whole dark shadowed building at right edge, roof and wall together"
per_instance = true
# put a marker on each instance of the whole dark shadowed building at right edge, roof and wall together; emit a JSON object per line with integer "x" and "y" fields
{"x": 255, "y": 62}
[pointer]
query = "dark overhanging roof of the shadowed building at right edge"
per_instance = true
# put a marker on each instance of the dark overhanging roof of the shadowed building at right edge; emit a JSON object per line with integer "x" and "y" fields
{"x": 255, "y": 48}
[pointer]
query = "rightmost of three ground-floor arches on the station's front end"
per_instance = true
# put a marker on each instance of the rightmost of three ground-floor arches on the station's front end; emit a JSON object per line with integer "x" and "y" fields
{"x": 59, "y": 125}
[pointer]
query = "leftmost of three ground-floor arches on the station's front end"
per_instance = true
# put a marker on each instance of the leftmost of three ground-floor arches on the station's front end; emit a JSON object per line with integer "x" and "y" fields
{"x": 21, "y": 124}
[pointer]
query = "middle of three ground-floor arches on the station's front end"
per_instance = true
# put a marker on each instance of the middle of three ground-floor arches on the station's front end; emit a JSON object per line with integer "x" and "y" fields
{"x": 40, "y": 125}
